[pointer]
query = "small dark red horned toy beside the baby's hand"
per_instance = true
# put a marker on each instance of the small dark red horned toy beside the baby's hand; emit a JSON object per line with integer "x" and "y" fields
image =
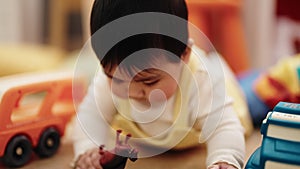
{"x": 117, "y": 158}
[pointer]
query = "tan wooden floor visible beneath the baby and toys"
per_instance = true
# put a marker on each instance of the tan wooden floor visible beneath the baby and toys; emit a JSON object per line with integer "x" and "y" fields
{"x": 190, "y": 159}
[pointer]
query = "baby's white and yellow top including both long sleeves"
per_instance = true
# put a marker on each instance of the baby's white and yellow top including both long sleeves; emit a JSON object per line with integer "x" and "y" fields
{"x": 192, "y": 112}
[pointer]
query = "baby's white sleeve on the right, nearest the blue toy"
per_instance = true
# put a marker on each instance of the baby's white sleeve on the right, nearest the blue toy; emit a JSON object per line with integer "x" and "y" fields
{"x": 219, "y": 124}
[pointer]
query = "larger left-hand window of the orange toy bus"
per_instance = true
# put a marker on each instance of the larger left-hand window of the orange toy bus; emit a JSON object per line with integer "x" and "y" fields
{"x": 28, "y": 106}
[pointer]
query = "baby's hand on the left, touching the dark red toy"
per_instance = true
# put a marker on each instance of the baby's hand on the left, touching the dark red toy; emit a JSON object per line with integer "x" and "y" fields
{"x": 89, "y": 160}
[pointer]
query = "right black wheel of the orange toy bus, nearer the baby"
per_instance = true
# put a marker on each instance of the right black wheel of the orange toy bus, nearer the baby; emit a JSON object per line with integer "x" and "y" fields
{"x": 49, "y": 143}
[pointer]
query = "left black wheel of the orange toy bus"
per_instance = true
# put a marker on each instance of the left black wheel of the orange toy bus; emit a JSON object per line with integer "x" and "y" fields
{"x": 18, "y": 152}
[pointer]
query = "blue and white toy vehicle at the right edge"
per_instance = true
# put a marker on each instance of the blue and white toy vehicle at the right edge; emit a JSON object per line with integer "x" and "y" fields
{"x": 280, "y": 147}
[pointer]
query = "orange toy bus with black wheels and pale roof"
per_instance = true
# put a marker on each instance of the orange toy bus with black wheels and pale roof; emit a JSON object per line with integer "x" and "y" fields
{"x": 34, "y": 111}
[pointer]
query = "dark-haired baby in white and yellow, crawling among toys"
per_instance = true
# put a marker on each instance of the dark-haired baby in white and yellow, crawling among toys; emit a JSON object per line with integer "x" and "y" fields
{"x": 157, "y": 88}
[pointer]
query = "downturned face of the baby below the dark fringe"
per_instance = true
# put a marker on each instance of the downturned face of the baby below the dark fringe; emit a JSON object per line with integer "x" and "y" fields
{"x": 156, "y": 84}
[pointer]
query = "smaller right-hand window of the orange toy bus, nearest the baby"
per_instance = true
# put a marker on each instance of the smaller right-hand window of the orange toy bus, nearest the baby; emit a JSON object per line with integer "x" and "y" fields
{"x": 64, "y": 103}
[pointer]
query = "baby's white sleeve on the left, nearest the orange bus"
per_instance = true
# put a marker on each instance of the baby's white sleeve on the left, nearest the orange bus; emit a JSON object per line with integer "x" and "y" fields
{"x": 93, "y": 115}
